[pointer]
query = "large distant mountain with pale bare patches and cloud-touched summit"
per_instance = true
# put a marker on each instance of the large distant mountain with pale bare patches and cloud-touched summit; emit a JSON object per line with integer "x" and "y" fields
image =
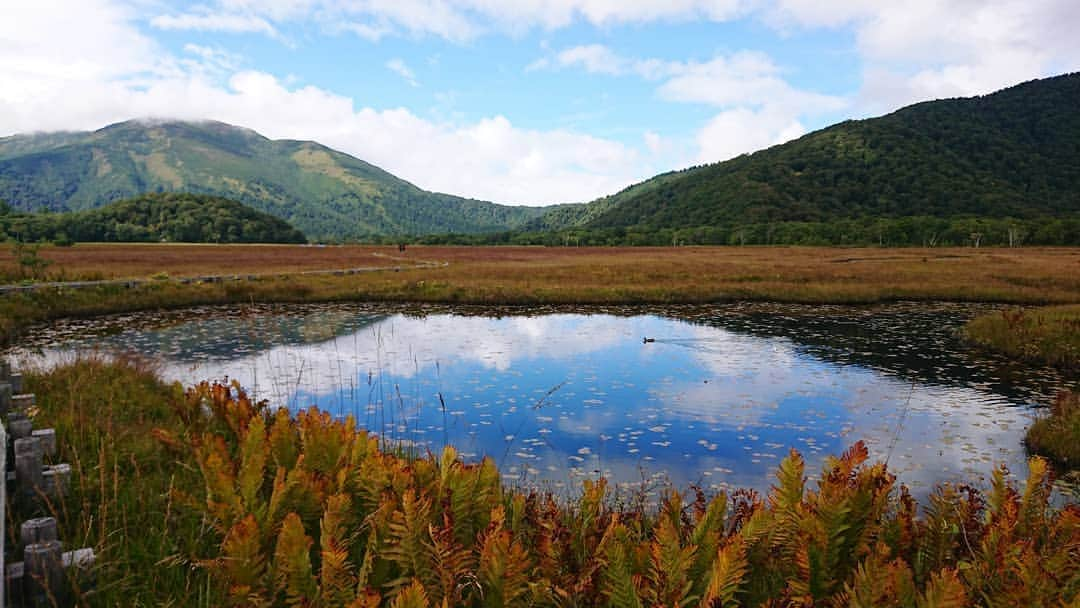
{"x": 323, "y": 193}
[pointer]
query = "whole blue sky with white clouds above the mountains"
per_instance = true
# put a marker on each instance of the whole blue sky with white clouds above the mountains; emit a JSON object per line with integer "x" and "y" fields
{"x": 526, "y": 102}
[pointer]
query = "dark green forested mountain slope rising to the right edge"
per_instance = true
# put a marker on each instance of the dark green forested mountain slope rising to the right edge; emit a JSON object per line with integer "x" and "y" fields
{"x": 1014, "y": 154}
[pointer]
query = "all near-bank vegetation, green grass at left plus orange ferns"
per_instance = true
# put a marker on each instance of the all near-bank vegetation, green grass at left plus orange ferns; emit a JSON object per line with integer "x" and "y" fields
{"x": 207, "y": 498}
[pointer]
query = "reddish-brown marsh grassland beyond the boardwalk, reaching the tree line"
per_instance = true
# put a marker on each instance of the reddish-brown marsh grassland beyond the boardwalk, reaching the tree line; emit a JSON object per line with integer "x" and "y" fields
{"x": 623, "y": 274}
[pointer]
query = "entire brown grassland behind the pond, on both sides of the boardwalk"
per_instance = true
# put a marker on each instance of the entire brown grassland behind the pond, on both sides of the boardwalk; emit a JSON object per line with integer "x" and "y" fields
{"x": 537, "y": 276}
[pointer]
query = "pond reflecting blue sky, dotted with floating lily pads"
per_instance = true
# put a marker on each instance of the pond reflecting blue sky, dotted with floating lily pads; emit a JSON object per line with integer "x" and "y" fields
{"x": 715, "y": 397}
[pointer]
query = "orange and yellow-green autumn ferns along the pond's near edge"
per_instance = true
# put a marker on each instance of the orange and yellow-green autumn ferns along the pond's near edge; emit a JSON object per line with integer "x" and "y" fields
{"x": 312, "y": 512}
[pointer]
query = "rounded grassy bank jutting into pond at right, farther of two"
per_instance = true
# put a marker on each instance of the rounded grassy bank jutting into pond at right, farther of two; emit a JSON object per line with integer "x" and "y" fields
{"x": 1048, "y": 336}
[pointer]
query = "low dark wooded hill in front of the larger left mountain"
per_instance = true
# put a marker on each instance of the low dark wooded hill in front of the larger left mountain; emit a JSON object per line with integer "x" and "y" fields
{"x": 173, "y": 218}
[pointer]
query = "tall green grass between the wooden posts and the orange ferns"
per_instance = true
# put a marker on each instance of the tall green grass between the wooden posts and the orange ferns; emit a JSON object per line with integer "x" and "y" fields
{"x": 105, "y": 414}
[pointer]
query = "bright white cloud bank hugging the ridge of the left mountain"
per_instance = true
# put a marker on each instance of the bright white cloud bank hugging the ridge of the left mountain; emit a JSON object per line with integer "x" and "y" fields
{"x": 96, "y": 69}
